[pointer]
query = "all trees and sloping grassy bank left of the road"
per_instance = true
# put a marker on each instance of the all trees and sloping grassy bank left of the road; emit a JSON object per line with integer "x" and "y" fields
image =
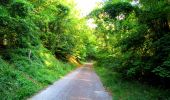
{"x": 37, "y": 44}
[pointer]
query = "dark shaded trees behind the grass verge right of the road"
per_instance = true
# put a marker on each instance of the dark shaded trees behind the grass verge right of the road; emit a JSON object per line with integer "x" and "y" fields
{"x": 135, "y": 39}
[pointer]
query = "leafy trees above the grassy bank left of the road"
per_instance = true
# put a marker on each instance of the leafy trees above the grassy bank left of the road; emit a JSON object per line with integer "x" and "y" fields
{"x": 54, "y": 24}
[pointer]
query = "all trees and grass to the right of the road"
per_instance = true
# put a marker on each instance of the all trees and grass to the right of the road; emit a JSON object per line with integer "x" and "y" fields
{"x": 133, "y": 50}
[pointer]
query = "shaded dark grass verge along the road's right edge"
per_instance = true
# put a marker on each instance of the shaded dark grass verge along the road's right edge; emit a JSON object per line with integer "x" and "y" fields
{"x": 129, "y": 90}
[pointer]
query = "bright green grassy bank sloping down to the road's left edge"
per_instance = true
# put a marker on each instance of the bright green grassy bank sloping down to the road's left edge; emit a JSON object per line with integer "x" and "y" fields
{"x": 21, "y": 76}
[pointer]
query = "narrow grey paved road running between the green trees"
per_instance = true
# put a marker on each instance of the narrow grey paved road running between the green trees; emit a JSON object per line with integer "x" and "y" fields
{"x": 81, "y": 84}
